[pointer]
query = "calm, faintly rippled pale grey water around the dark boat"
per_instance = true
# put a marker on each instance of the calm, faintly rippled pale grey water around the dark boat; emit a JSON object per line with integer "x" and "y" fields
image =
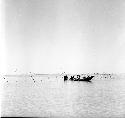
{"x": 52, "y": 97}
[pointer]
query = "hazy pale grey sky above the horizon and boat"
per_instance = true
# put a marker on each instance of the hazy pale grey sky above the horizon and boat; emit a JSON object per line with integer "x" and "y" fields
{"x": 75, "y": 36}
